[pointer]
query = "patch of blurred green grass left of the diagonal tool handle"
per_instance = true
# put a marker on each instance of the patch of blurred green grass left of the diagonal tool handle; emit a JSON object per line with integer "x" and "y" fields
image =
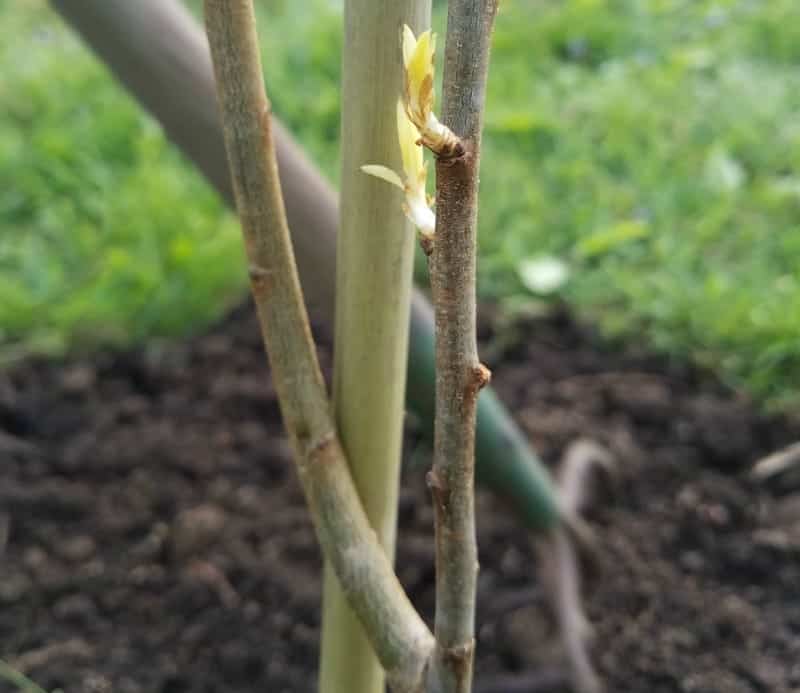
{"x": 105, "y": 233}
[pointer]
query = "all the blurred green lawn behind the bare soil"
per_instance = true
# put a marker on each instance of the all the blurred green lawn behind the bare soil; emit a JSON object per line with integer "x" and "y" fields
{"x": 652, "y": 146}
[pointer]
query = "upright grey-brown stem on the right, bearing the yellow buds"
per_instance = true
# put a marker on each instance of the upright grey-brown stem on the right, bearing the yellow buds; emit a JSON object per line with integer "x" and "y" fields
{"x": 460, "y": 374}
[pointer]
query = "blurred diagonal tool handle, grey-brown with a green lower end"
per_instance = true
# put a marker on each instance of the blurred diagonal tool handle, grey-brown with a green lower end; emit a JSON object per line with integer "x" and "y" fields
{"x": 156, "y": 49}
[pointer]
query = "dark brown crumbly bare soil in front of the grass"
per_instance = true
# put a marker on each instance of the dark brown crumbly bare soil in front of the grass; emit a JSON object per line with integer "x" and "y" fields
{"x": 155, "y": 538}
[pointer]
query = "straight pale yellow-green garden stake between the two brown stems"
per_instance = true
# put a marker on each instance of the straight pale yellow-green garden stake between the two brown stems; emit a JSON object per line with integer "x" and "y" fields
{"x": 373, "y": 291}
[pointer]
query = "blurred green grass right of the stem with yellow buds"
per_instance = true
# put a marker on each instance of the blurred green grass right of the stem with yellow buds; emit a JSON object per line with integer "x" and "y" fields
{"x": 655, "y": 148}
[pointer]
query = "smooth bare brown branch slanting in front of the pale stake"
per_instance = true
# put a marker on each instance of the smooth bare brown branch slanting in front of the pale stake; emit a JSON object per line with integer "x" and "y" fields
{"x": 401, "y": 640}
